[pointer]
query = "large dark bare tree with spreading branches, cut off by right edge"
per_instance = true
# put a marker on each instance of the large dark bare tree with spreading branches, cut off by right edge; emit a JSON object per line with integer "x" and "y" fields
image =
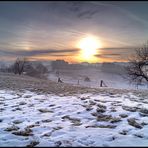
{"x": 137, "y": 69}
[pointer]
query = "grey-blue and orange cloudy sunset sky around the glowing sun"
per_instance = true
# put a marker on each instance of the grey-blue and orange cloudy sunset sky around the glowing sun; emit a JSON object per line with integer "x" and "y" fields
{"x": 52, "y": 30}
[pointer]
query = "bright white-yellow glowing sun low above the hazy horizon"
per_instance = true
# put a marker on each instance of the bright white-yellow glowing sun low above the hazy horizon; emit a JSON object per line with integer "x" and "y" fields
{"x": 89, "y": 48}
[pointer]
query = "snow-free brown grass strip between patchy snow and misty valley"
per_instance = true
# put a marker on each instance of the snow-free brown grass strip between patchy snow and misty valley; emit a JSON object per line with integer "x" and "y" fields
{"x": 22, "y": 82}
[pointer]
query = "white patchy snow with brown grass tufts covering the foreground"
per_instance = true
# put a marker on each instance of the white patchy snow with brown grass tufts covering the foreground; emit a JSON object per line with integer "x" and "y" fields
{"x": 30, "y": 119}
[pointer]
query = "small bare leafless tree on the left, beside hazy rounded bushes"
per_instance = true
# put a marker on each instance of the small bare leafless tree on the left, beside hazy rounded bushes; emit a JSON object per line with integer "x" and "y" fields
{"x": 18, "y": 66}
